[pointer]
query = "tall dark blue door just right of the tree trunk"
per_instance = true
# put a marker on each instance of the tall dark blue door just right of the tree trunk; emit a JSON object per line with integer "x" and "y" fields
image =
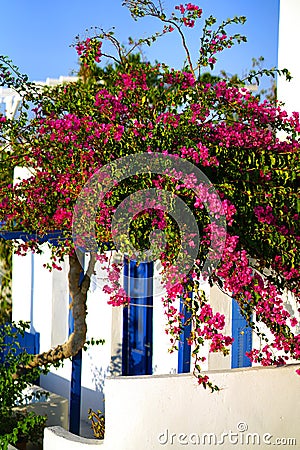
{"x": 138, "y": 319}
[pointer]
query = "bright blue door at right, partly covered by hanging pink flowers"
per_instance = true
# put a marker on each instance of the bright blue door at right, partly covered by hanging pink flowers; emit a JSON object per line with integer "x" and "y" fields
{"x": 242, "y": 334}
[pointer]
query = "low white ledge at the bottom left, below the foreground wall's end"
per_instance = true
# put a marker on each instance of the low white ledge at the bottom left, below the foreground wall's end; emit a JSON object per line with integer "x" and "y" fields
{"x": 58, "y": 438}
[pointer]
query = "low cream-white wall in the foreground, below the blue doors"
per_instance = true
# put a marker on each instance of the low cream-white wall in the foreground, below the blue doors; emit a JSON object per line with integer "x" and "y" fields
{"x": 150, "y": 412}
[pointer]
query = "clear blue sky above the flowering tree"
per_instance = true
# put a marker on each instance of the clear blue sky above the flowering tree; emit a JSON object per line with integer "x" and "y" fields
{"x": 37, "y": 34}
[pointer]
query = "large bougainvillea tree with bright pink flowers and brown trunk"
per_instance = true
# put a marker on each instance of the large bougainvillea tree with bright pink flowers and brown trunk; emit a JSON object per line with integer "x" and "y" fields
{"x": 249, "y": 150}
